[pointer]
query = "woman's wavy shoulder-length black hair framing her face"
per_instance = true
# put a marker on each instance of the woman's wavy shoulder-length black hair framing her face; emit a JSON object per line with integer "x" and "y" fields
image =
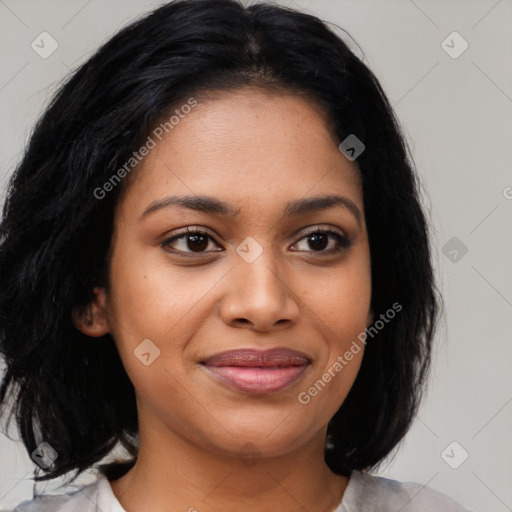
{"x": 71, "y": 390}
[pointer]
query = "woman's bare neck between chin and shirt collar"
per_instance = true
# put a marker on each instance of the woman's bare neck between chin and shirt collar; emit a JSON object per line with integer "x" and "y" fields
{"x": 173, "y": 473}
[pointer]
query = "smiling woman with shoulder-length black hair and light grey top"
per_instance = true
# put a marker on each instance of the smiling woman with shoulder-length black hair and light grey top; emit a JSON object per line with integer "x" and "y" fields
{"x": 213, "y": 253}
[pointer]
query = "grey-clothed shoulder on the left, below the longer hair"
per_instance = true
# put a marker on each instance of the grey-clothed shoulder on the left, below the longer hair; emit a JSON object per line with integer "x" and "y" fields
{"x": 80, "y": 499}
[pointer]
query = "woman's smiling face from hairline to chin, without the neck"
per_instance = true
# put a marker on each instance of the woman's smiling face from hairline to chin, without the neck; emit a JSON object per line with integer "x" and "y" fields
{"x": 250, "y": 280}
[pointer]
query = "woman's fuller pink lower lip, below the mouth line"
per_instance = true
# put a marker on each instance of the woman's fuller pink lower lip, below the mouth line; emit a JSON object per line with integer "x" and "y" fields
{"x": 257, "y": 379}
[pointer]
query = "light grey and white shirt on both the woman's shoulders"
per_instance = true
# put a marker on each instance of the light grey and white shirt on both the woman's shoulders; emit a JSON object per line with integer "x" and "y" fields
{"x": 364, "y": 493}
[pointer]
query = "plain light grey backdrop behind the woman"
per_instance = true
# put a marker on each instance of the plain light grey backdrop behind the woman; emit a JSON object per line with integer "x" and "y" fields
{"x": 456, "y": 111}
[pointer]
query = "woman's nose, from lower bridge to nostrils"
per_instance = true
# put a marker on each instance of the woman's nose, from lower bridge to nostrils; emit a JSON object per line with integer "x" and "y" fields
{"x": 259, "y": 296}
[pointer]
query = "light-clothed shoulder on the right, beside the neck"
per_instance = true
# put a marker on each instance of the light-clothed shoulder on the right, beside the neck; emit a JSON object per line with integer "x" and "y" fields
{"x": 371, "y": 493}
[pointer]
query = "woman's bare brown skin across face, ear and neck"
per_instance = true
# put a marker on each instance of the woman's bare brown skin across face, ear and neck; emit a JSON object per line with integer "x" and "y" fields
{"x": 255, "y": 150}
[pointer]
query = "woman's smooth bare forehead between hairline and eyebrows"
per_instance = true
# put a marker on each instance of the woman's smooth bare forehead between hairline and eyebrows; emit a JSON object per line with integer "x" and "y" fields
{"x": 246, "y": 145}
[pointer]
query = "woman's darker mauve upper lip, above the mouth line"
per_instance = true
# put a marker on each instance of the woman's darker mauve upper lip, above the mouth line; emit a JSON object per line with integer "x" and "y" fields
{"x": 274, "y": 357}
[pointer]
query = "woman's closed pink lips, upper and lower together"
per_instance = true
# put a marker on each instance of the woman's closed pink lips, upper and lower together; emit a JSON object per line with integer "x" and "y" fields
{"x": 258, "y": 371}
